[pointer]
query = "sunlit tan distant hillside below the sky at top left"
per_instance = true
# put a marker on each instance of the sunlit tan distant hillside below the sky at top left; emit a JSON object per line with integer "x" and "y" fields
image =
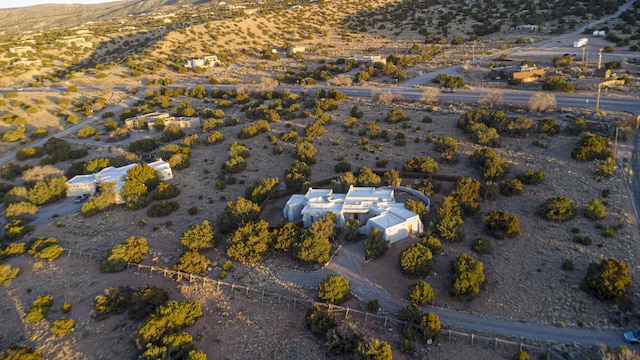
{"x": 52, "y": 16}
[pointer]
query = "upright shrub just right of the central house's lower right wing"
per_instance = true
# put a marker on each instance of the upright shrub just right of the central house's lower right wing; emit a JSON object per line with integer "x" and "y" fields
{"x": 448, "y": 223}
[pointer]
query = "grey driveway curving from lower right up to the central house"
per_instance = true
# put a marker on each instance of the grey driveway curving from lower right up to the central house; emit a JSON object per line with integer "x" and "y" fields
{"x": 347, "y": 262}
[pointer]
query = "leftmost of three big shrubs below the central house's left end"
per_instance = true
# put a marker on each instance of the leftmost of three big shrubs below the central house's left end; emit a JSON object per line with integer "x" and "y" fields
{"x": 249, "y": 242}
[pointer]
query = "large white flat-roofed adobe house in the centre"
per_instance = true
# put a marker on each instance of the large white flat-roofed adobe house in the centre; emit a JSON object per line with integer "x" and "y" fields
{"x": 374, "y": 207}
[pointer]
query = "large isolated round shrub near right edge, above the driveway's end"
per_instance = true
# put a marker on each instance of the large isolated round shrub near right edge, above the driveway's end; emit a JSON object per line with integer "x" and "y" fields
{"x": 607, "y": 280}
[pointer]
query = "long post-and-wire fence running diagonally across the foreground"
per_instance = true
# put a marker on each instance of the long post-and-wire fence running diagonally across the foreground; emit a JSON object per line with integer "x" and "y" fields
{"x": 382, "y": 320}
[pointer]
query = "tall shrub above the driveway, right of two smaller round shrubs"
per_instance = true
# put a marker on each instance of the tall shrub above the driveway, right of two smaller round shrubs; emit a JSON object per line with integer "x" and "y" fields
{"x": 468, "y": 274}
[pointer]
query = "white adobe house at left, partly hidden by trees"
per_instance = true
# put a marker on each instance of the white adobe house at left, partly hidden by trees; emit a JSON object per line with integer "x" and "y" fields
{"x": 87, "y": 184}
